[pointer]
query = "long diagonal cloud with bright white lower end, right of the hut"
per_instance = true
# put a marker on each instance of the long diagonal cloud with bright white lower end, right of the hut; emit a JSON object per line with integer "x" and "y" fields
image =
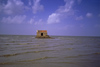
{"x": 62, "y": 12}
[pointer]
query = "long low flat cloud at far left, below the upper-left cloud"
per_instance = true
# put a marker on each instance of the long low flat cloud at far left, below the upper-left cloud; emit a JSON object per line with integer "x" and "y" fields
{"x": 17, "y": 19}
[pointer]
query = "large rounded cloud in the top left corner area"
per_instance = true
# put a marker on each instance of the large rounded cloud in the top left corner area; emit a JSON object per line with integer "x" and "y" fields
{"x": 13, "y": 7}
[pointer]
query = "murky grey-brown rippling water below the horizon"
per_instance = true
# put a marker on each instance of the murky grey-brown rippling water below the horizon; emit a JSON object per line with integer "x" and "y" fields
{"x": 69, "y": 51}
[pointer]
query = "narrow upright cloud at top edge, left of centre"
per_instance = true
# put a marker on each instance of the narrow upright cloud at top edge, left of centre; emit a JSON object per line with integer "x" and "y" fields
{"x": 37, "y": 6}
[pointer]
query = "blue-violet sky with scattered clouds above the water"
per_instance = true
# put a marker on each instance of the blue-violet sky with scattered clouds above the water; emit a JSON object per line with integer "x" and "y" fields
{"x": 58, "y": 17}
